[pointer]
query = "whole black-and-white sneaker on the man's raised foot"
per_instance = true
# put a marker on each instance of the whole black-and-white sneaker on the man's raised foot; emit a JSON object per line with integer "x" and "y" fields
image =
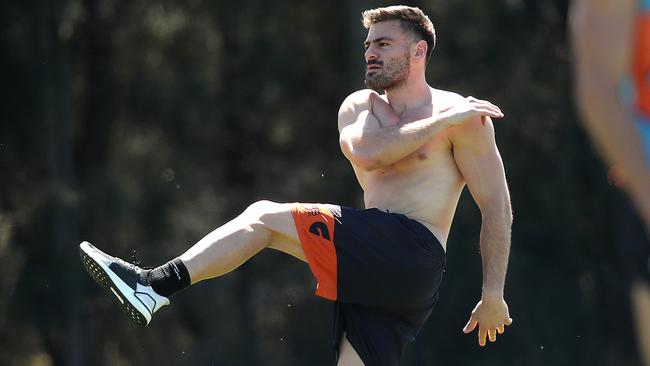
{"x": 123, "y": 280}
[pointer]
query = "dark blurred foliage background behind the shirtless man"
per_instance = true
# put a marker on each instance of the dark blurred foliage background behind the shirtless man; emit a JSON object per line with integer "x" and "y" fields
{"x": 146, "y": 124}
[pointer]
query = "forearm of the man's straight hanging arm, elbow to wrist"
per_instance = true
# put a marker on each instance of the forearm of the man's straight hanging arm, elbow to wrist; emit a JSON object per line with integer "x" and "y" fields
{"x": 495, "y": 249}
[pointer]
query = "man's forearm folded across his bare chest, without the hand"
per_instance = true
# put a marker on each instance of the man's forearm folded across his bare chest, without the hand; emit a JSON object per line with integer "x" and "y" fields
{"x": 385, "y": 145}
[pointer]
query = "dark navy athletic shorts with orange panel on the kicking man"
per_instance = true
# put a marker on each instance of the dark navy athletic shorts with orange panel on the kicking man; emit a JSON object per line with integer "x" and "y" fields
{"x": 383, "y": 270}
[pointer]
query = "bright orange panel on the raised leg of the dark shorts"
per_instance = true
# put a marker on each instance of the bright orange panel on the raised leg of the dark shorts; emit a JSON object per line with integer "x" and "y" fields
{"x": 315, "y": 225}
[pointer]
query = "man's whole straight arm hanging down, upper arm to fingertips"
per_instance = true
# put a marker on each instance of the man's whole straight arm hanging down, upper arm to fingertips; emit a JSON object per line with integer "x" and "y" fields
{"x": 478, "y": 160}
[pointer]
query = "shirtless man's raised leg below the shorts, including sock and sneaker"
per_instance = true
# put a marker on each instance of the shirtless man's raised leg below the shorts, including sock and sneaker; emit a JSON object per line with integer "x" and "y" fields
{"x": 141, "y": 293}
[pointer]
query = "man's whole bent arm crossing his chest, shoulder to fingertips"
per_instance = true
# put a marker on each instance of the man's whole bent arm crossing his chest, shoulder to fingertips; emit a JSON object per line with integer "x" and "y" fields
{"x": 372, "y": 135}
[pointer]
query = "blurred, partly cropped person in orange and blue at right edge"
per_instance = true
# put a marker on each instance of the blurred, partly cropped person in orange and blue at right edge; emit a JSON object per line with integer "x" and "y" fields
{"x": 611, "y": 49}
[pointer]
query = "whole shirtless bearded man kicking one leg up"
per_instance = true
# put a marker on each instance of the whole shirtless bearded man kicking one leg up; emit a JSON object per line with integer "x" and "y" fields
{"x": 413, "y": 150}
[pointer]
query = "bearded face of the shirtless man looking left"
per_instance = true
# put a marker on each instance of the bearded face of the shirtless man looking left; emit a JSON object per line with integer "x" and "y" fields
{"x": 387, "y": 55}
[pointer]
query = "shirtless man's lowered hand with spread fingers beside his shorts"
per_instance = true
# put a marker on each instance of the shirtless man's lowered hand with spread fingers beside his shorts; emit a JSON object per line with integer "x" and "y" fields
{"x": 491, "y": 315}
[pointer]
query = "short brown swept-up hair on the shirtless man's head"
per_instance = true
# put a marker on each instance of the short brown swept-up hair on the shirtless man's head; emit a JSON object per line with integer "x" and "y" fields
{"x": 411, "y": 19}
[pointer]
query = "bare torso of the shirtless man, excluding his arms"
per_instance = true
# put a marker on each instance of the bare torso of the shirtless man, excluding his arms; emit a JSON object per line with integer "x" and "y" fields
{"x": 425, "y": 185}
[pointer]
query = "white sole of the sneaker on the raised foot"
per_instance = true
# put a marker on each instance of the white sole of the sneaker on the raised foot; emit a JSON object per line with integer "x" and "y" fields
{"x": 113, "y": 284}
